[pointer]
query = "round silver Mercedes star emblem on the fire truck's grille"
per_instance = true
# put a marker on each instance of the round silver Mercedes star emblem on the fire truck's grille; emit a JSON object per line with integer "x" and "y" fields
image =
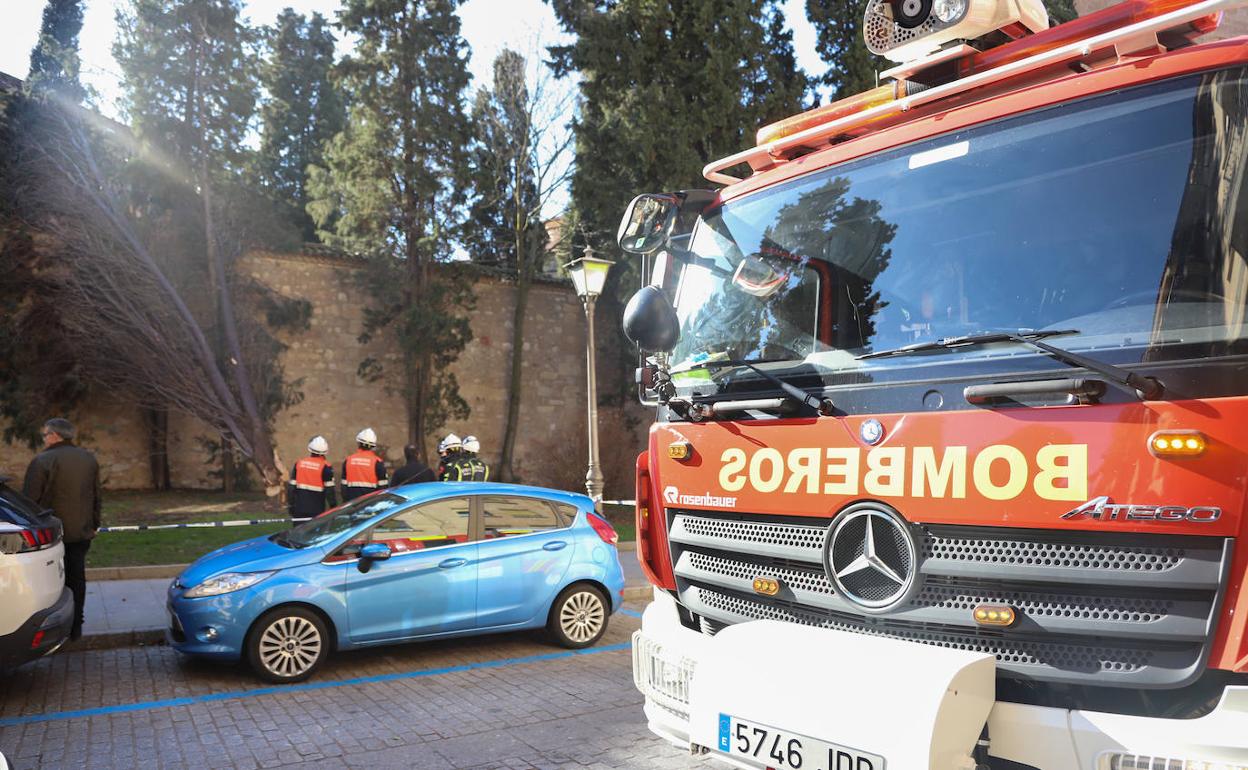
{"x": 870, "y": 556}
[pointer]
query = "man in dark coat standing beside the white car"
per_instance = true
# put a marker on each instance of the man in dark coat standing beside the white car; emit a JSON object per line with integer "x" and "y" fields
{"x": 66, "y": 479}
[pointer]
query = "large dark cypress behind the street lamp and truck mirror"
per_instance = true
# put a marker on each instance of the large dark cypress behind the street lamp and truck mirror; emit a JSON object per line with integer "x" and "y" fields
{"x": 667, "y": 87}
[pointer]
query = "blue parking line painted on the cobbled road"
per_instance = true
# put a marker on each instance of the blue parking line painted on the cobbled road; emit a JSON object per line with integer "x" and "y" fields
{"x": 9, "y": 722}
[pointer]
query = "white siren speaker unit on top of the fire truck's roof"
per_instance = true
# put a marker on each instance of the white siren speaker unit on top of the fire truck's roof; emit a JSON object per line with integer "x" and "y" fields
{"x": 904, "y": 31}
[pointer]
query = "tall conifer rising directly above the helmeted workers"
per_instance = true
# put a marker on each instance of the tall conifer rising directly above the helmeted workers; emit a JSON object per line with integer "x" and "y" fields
{"x": 392, "y": 187}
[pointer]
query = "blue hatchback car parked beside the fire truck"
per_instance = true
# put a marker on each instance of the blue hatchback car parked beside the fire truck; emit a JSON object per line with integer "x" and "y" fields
{"x": 417, "y": 562}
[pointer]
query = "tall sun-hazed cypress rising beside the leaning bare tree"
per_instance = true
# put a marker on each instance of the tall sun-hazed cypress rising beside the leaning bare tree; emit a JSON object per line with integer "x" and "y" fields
{"x": 189, "y": 77}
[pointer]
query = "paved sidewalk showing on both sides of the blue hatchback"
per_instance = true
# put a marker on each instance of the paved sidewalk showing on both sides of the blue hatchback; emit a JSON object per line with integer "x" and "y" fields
{"x": 123, "y": 613}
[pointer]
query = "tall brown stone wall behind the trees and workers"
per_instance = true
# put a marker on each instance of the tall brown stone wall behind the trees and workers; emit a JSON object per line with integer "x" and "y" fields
{"x": 338, "y": 404}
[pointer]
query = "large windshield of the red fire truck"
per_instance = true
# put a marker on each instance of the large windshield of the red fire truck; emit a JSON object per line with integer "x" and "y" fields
{"x": 1116, "y": 218}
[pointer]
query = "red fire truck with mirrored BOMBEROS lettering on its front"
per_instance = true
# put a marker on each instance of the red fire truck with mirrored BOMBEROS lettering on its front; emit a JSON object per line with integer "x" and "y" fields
{"x": 952, "y": 379}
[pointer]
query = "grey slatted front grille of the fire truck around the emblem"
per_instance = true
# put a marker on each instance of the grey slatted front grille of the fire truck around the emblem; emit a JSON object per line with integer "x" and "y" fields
{"x": 1094, "y": 608}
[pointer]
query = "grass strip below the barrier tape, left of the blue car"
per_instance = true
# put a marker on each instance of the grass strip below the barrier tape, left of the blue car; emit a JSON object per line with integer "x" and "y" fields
{"x": 168, "y": 546}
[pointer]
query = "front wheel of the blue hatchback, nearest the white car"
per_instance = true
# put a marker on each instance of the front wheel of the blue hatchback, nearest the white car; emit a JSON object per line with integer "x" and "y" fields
{"x": 288, "y": 645}
